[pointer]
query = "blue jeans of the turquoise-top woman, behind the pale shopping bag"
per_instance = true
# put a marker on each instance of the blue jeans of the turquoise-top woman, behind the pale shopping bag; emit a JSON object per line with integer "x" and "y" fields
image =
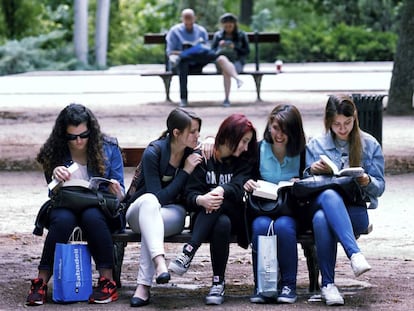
{"x": 287, "y": 250}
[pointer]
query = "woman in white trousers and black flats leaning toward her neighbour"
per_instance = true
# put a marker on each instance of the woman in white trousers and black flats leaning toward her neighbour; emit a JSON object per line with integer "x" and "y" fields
{"x": 154, "y": 209}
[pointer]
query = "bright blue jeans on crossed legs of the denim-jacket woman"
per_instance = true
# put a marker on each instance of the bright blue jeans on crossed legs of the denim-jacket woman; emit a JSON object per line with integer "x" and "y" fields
{"x": 334, "y": 222}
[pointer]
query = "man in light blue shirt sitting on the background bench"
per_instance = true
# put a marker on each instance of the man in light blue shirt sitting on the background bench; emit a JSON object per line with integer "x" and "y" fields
{"x": 178, "y": 37}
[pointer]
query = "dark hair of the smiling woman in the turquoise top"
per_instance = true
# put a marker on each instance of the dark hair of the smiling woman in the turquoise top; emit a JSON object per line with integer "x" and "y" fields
{"x": 289, "y": 120}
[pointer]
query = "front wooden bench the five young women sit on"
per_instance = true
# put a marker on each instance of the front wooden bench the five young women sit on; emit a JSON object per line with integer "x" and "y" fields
{"x": 132, "y": 157}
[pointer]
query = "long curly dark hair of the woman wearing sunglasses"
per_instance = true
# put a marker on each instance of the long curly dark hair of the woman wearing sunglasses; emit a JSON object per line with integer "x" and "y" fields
{"x": 55, "y": 150}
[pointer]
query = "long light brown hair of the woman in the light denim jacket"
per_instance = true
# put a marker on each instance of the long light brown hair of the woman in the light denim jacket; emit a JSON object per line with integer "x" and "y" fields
{"x": 343, "y": 105}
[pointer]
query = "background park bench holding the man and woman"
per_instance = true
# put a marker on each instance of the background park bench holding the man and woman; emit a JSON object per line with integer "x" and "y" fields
{"x": 254, "y": 38}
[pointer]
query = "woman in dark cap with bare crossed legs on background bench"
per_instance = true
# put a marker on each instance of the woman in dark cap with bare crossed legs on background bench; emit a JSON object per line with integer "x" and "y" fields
{"x": 232, "y": 47}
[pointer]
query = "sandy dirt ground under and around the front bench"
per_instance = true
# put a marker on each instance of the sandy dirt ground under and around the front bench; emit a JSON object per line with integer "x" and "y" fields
{"x": 389, "y": 249}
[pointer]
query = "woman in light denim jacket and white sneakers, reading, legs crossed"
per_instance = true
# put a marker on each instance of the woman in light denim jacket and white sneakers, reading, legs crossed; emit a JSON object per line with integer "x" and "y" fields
{"x": 333, "y": 219}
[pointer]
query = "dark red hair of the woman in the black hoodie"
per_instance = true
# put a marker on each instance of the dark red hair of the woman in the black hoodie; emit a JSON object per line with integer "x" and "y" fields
{"x": 232, "y": 130}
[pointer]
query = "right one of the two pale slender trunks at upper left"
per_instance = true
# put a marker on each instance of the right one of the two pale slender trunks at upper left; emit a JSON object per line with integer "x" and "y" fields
{"x": 101, "y": 33}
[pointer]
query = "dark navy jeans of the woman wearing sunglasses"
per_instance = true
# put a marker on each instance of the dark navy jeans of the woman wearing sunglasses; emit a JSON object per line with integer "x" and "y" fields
{"x": 95, "y": 230}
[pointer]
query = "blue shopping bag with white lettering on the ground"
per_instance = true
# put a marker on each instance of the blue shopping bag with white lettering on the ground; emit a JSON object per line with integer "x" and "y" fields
{"x": 72, "y": 272}
